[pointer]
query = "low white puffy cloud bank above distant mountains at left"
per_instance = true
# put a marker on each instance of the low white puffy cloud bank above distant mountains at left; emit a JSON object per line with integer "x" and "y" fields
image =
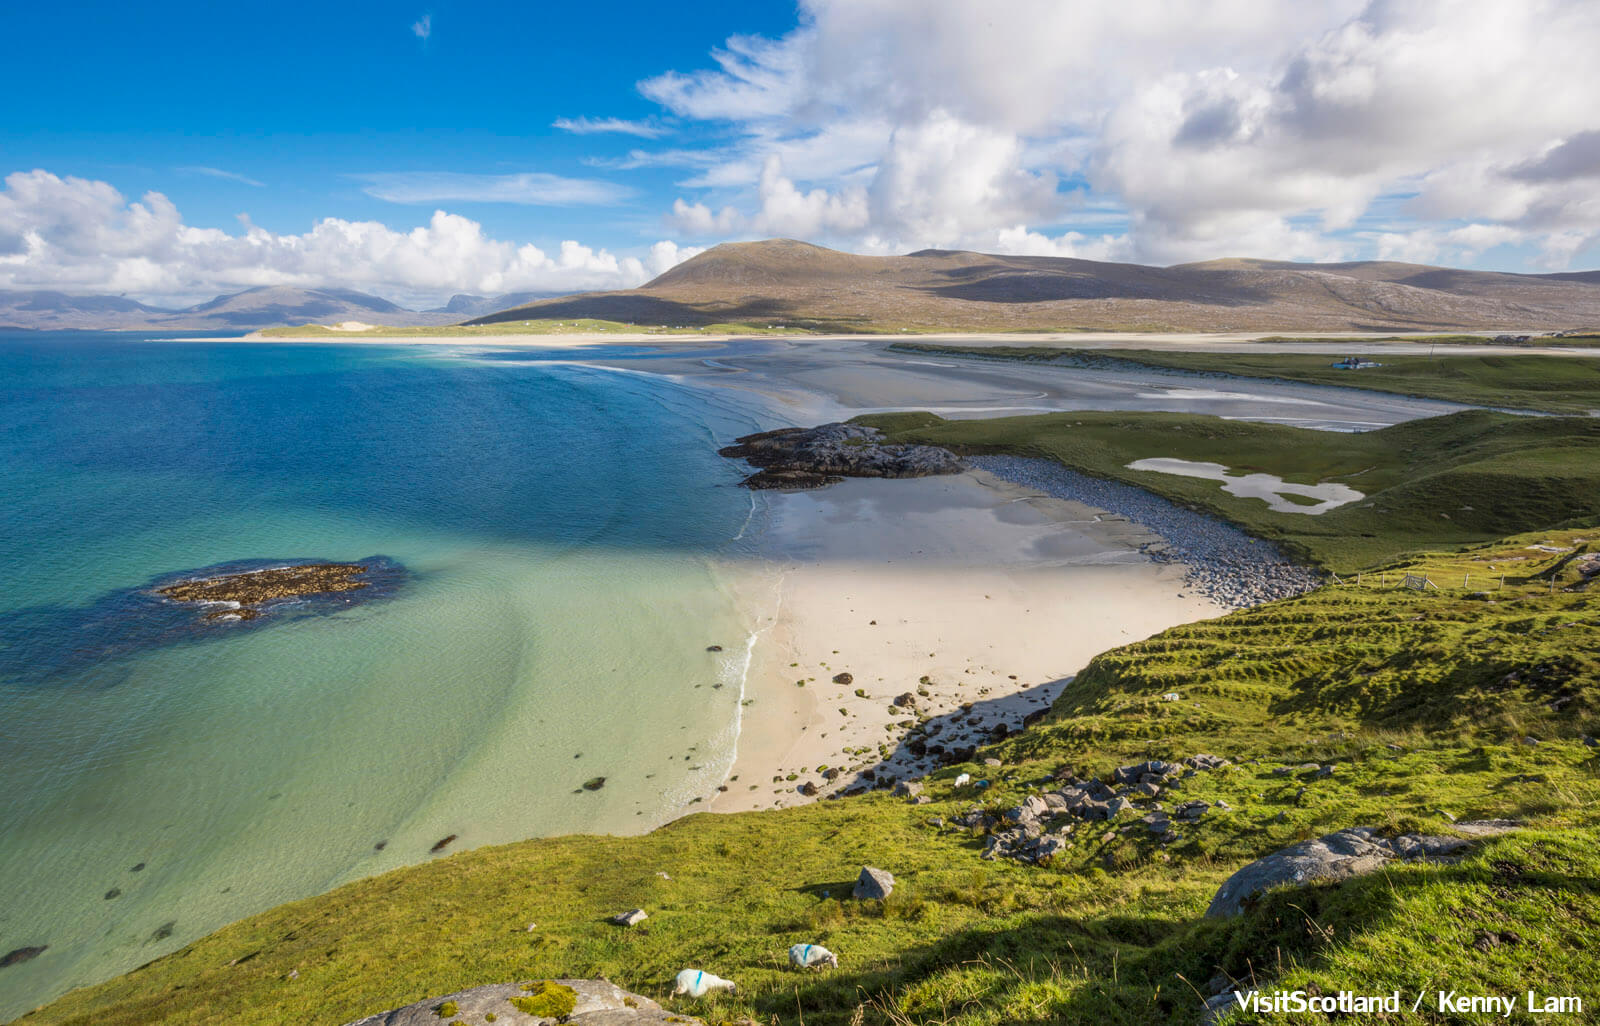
{"x": 86, "y": 236}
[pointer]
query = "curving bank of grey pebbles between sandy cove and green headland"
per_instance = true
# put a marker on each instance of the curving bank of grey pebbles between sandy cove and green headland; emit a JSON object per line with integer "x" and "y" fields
{"x": 1225, "y": 564}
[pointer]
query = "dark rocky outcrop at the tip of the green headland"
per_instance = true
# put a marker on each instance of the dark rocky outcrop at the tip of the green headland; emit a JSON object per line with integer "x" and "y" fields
{"x": 818, "y": 457}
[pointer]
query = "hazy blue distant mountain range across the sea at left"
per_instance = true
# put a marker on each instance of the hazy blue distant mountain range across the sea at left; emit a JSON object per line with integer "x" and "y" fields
{"x": 254, "y": 308}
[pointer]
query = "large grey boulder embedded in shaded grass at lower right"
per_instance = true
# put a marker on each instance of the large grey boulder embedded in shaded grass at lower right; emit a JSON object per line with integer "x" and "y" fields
{"x": 1340, "y": 857}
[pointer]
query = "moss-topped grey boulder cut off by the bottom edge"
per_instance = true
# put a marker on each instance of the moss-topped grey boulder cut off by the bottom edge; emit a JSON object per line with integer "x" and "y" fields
{"x": 599, "y": 1003}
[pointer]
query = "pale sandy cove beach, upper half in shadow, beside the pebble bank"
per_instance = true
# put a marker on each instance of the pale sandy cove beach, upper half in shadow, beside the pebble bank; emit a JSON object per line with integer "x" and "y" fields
{"x": 975, "y": 598}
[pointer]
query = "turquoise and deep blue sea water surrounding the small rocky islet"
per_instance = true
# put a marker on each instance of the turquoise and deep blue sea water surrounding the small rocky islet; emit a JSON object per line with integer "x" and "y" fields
{"x": 558, "y": 527}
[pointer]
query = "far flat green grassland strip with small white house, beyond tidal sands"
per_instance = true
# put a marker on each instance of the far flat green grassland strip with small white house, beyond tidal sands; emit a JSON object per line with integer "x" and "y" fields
{"x": 1551, "y": 385}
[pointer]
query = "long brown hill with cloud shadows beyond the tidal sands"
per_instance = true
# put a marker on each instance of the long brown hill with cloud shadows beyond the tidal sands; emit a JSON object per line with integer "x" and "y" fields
{"x": 804, "y": 286}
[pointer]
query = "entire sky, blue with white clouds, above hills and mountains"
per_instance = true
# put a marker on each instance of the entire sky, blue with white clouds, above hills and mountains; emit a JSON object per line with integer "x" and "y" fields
{"x": 183, "y": 150}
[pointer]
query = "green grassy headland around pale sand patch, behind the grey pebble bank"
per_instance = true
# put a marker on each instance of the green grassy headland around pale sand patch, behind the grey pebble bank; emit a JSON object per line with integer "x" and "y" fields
{"x": 1430, "y": 484}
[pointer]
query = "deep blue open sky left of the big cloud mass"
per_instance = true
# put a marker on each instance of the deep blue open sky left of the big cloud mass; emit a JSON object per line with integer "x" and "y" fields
{"x": 308, "y": 98}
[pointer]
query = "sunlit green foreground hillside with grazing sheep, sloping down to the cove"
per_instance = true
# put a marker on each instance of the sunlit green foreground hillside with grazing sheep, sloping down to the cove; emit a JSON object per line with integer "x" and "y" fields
{"x": 1425, "y": 703}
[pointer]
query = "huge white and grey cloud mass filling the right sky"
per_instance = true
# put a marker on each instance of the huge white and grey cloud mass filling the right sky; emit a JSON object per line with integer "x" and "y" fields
{"x": 1218, "y": 127}
